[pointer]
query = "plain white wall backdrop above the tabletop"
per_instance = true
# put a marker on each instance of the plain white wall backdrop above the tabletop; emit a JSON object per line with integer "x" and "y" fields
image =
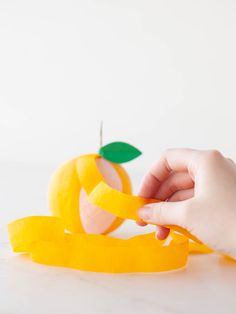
{"x": 159, "y": 73}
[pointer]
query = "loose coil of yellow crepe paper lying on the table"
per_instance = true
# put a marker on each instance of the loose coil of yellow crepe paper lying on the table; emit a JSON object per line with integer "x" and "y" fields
{"x": 51, "y": 246}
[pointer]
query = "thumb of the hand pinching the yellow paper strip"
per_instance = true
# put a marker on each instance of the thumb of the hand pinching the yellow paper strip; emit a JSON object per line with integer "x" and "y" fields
{"x": 164, "y": 213}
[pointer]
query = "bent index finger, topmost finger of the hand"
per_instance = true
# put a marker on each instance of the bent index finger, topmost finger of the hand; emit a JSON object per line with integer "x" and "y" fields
{"x": 171, "y": 160}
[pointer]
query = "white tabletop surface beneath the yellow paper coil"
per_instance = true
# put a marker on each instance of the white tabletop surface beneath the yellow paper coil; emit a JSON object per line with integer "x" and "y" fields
{"x": 206, "y": 285}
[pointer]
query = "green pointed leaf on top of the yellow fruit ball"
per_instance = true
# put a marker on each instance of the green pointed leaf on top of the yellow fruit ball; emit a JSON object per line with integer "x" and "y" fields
{"x": 119, "y": 152}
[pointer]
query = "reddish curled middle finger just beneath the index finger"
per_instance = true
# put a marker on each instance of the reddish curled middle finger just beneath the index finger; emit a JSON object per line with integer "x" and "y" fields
{"x": 175, "y": 182}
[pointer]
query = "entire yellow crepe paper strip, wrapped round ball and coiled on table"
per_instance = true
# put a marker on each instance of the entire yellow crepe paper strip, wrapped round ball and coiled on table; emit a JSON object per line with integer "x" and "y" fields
{"x": 46, "y": 240}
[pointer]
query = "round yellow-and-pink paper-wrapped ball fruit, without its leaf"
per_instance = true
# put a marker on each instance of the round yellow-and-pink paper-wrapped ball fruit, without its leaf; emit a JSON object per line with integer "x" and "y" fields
{"x": 69, "y": 188}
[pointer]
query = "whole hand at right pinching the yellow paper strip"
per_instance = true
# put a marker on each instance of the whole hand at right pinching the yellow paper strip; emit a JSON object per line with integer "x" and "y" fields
{"x": 200, "y": 187}
